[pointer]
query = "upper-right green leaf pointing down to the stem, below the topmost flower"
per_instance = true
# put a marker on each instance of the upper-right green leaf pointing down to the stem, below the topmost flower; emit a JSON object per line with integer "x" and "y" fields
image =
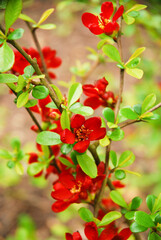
{"x": 112, "y": 53}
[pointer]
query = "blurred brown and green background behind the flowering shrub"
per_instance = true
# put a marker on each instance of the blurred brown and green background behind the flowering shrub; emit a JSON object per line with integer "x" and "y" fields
{"x": 25, "y": 202}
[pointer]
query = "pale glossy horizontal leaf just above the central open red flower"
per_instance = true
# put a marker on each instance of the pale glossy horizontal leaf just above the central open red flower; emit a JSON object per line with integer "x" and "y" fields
{"x": 78, "y": 108}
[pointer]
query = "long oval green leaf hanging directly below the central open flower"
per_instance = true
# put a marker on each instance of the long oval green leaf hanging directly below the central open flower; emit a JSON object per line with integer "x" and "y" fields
{"x": 87, "y": 165}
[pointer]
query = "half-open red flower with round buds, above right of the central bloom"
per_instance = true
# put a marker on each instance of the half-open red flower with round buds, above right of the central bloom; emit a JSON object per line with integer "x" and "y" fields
{"x": 97, "y": 94}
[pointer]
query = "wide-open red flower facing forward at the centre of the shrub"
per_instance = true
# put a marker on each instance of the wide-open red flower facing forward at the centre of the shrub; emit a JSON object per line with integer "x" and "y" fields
{"x": 83, "y": 131}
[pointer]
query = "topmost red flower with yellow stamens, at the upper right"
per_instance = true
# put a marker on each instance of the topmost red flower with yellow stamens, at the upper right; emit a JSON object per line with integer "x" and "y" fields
{"x": 102, "y": 23}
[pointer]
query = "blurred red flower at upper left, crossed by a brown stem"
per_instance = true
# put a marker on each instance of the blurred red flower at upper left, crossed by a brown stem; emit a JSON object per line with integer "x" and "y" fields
{"x": 50, "y": 58}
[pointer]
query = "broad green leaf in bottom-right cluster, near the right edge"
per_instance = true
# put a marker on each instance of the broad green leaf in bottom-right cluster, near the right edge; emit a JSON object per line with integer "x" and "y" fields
{"x": 143, "y": 219}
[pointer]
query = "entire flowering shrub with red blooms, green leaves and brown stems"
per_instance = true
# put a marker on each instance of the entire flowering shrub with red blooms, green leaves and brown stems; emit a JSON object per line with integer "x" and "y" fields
{"x": 69, "y": 133}
